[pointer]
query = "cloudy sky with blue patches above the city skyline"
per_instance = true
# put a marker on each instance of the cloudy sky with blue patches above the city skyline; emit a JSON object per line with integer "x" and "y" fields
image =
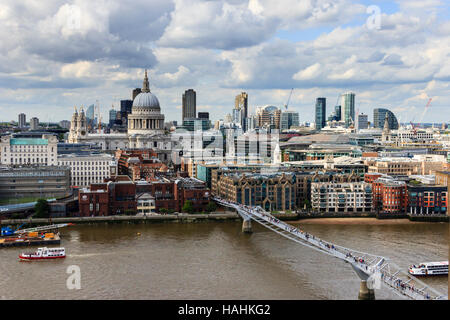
{"x": 55, "y": 55}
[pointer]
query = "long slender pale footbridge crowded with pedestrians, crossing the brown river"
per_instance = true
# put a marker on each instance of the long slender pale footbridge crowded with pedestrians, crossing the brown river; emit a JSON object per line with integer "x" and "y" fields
{"x": 373, "y": 270}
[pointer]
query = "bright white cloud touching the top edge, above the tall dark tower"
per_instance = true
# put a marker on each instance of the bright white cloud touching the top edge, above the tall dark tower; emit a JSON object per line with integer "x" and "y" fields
{"x": 215, "y": 24}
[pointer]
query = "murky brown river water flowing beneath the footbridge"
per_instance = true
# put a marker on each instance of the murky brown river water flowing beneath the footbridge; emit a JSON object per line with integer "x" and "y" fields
{"x": 214, "y": 260}
